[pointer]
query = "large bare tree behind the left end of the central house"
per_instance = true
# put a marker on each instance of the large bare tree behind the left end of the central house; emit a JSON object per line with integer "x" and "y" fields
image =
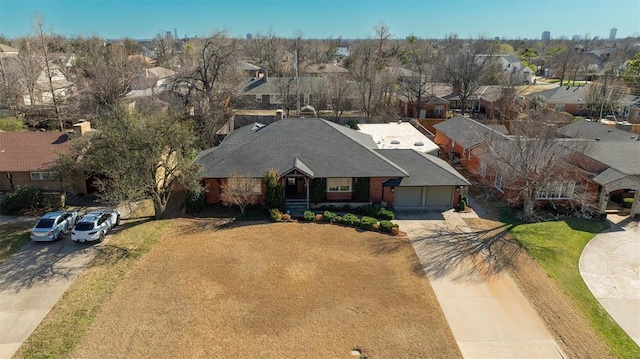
{"x": 209, "y": 82}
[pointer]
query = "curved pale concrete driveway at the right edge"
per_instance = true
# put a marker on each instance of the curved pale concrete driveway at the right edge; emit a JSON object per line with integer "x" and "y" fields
{"x": 610, "y": 266}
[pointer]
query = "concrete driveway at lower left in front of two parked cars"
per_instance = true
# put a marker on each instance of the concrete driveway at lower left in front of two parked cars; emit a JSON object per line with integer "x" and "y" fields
{"x": 31, "y": 282}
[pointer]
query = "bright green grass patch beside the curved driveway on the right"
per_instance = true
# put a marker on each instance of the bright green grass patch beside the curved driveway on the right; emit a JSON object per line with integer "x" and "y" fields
{"x": 557, "y": 246}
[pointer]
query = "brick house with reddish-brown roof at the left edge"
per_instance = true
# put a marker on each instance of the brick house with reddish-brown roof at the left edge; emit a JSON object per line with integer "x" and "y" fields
{"x": 27, "y": 159}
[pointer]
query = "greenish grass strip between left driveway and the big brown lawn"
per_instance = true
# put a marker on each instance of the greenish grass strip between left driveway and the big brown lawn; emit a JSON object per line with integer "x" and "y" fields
{"x": 68, "y": 321}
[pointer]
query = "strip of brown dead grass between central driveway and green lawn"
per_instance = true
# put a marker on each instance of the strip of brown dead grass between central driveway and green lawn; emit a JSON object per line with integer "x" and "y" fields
{"x": 564, "y": 320}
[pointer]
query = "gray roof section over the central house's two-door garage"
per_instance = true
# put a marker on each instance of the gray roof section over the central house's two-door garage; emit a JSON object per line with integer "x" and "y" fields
{"x": 423, "y": 169}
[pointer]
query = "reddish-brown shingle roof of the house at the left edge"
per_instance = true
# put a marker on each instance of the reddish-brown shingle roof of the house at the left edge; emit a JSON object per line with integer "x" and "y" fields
{"x": 30, "y": 151}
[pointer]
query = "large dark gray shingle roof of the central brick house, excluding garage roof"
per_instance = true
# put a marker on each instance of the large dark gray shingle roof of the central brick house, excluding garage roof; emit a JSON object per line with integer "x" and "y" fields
{"x": 318, "y": 147}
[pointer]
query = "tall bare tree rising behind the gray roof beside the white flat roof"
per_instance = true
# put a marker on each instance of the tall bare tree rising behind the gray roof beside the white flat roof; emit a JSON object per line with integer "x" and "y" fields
{"x": 466, "y": 64}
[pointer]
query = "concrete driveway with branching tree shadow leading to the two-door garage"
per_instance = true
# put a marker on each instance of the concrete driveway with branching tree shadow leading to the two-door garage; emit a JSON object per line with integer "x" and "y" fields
{"x": 489, "y": 316}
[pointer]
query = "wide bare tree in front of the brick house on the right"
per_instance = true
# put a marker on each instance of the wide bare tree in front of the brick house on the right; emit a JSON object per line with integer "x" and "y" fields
{"x": 533, "y": 165}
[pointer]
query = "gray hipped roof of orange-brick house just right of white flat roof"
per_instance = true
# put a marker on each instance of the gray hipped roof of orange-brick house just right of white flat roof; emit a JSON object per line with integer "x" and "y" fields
{"x": 466, "y": 132}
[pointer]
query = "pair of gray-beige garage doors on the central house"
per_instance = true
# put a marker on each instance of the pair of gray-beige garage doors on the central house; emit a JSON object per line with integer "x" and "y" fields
{"x": 424, "y": 197}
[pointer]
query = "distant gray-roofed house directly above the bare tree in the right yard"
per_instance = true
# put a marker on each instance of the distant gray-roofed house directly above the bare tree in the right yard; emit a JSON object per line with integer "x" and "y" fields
{"x": 566, "y": 99}
